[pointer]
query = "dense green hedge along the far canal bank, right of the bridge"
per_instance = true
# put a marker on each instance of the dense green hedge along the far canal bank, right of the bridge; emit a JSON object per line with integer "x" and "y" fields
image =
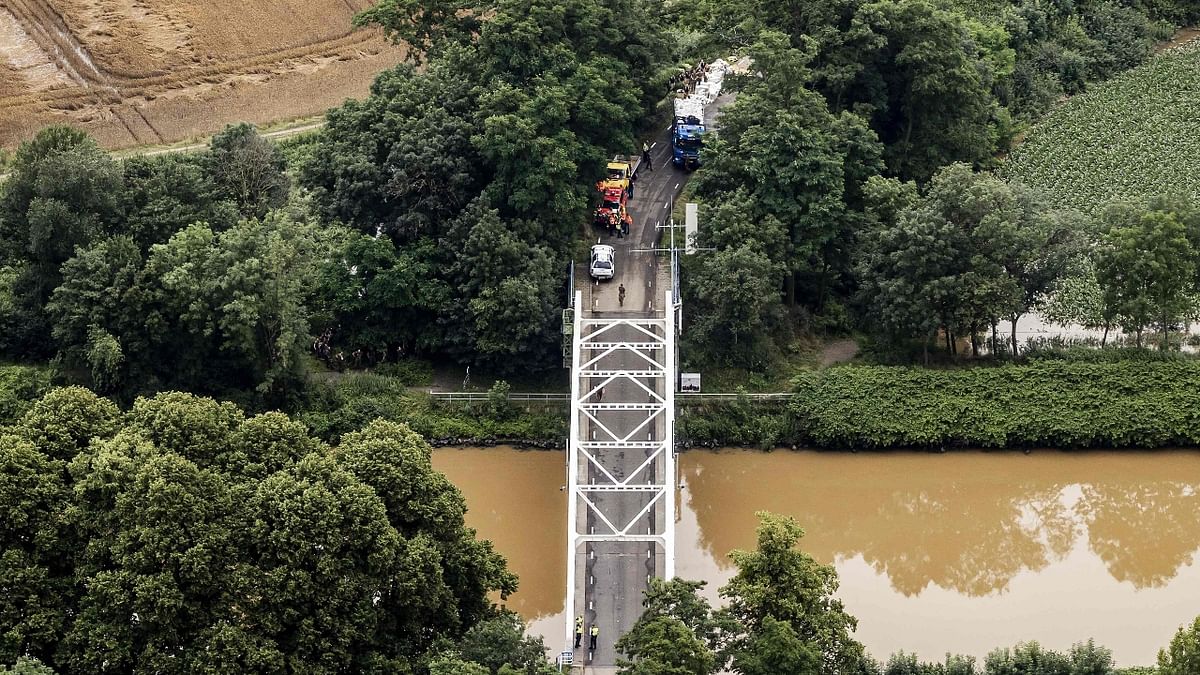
{"x": 1047, "y": 405}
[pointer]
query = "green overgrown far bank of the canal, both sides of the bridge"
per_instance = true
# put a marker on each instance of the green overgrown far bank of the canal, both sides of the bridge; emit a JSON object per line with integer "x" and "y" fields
{"x": 1060, "y": 405}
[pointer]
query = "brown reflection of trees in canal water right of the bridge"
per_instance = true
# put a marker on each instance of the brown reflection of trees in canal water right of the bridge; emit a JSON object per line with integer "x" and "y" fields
{"x": 968, "y": 523}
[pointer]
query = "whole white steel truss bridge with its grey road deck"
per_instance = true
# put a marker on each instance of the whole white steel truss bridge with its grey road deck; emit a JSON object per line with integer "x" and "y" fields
{"x": 621, "y": 470}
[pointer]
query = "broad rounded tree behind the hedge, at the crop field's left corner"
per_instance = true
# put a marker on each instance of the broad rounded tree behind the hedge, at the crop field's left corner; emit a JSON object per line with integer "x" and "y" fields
{"x": 971, "y": 252}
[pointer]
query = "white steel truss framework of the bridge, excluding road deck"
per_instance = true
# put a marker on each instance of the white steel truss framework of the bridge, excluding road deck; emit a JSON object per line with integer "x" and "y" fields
{"x": 652, "y": 485}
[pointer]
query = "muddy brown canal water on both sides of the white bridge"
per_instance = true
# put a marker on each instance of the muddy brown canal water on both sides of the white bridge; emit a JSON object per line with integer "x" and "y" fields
{"x": 937, "y": 553}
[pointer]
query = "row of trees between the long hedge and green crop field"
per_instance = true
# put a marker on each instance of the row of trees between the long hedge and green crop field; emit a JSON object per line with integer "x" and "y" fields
{"x": 973, "y": 252}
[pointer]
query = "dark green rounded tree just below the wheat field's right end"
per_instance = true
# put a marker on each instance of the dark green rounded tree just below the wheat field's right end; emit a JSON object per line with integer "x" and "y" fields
{"x": 403, "y": 160}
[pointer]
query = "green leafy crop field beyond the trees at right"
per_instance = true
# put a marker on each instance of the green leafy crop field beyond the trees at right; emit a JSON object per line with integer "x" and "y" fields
{"x": 1130, "y": 139}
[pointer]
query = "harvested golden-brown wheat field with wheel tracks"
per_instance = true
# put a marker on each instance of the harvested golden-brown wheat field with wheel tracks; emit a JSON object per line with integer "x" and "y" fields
{"x": 136, "y": 73}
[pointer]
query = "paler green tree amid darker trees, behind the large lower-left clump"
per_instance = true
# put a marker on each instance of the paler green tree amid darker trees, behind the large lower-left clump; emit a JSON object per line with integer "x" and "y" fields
{"x": 231, "y": 309}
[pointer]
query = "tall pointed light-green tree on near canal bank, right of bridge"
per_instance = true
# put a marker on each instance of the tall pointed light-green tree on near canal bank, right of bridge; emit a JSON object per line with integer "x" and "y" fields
{"x": 778, "y": 582}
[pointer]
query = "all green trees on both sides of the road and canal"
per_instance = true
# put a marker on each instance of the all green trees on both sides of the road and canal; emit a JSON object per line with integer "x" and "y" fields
{"x": 851, "y": 187}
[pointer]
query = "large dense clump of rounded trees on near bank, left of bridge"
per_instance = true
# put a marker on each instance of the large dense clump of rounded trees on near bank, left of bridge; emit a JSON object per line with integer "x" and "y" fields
{"x": 189, "y": 537}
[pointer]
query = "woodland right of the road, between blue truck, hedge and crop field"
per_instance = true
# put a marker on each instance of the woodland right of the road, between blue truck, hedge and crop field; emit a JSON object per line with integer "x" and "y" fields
{"x": 854, "y": 176}
